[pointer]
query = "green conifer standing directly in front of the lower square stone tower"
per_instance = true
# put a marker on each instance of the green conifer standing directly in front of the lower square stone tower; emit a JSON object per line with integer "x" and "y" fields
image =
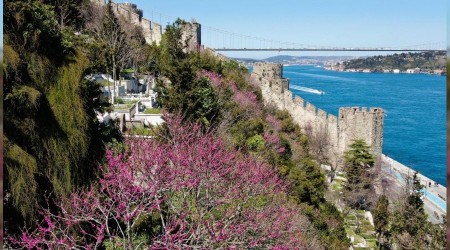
{"x": 358, "y": 160}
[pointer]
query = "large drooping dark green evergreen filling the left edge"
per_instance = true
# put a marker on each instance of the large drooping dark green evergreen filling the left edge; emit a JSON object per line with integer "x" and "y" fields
{"x": 53, "y": 141}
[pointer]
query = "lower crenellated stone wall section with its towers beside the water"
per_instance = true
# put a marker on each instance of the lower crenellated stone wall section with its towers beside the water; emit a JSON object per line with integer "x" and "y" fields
{"x": 352, "y": 123}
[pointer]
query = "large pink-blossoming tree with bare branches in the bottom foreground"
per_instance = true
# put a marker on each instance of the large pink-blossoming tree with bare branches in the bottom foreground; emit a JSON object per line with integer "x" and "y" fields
{"x": 204, "y": 195}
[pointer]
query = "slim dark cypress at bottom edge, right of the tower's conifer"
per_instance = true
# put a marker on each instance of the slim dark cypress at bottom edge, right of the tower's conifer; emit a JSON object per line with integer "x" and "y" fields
{"x": 381, "y": 218}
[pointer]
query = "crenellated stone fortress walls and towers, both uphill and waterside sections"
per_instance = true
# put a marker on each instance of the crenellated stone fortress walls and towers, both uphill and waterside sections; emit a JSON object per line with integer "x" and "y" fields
{"x": 352, "y": 122}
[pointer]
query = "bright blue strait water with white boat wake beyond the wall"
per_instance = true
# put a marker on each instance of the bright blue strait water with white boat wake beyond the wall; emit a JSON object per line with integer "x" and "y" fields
{"x": 414, "y": 105}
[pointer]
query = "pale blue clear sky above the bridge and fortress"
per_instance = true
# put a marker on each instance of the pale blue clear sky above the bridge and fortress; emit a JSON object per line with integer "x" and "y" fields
{"x": 348, "y": 23}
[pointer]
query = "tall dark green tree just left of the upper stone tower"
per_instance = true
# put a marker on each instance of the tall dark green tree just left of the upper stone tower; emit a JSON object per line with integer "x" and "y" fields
{"x": 184, "y": 93}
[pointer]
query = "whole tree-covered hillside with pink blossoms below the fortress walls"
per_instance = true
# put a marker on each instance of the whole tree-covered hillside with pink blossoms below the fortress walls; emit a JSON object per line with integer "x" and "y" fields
{"x": 223, "y": 172}
